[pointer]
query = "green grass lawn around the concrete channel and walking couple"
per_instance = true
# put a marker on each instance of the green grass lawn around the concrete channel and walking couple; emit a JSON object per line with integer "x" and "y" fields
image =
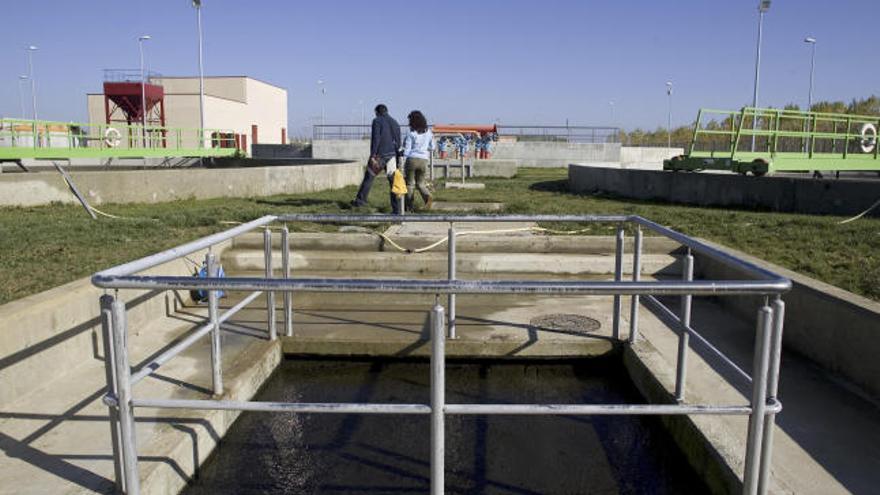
{"x": 46, "y": 246}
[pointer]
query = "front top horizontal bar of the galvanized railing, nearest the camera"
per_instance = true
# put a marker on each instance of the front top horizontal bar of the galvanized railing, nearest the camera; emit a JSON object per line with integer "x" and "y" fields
{"x": 585, "y": 287}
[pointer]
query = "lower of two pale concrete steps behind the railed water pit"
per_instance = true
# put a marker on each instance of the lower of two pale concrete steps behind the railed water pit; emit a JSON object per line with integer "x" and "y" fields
{"x": 349, "y": 263}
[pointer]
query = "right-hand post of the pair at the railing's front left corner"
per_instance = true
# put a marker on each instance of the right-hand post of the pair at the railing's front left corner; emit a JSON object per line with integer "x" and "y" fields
{"x": 123, "y": 399}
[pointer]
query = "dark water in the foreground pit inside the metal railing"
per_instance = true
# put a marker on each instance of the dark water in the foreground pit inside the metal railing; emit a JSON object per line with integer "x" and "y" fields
{"x": 311, "y": 453}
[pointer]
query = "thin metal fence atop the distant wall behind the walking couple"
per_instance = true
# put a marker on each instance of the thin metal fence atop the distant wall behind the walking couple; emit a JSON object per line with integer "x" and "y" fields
{"x": 560, "y": 134}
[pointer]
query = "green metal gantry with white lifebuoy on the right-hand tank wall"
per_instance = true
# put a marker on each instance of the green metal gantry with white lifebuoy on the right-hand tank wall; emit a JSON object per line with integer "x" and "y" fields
{"x": 766, "y": 140}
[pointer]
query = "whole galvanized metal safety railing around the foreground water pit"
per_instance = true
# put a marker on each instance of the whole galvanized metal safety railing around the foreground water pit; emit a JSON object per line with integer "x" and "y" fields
{"x": 764, "y": 378}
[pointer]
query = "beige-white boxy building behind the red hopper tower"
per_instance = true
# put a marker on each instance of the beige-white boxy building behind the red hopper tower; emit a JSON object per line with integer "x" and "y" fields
{"x": 255, "y": 110}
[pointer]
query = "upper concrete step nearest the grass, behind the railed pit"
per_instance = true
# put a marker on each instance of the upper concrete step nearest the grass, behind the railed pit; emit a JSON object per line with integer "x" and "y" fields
{"x": 563, "y": 244}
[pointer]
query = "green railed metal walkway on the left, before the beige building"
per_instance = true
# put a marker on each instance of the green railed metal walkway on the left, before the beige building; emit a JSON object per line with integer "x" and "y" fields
{"x": 21, "y": 139}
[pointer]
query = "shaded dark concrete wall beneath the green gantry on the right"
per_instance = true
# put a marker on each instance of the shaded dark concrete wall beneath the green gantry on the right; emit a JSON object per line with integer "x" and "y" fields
{"x": 800, "y": 195}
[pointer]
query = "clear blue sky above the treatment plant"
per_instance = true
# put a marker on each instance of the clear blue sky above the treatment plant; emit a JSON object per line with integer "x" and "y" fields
{"x": 518, "y": 62}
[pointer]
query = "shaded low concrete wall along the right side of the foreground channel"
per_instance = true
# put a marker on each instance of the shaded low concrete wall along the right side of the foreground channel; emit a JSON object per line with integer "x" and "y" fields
{"x": 834, "y": 328}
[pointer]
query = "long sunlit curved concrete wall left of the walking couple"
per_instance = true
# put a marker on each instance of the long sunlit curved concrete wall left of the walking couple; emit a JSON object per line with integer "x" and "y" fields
{"x": 153, "y": 186}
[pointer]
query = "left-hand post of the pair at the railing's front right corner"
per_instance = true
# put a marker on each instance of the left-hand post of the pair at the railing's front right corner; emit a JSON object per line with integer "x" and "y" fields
{"x": 758, "y": 402}
